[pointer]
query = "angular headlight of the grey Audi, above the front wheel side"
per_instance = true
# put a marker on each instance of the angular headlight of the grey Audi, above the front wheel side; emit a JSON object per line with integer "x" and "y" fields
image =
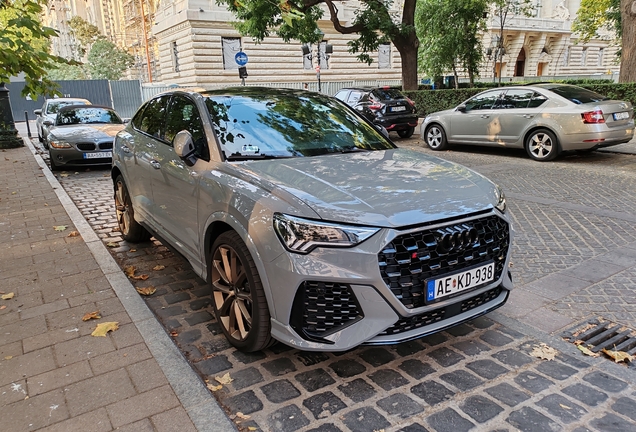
{"x": 302, "y": 236}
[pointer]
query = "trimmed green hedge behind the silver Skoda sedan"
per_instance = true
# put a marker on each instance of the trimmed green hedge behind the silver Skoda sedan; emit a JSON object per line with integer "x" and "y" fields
{"x": 430, "y": 101}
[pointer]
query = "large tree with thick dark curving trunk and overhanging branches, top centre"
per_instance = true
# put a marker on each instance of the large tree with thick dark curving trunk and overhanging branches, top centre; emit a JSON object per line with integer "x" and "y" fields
{"x": 374, "y": 23}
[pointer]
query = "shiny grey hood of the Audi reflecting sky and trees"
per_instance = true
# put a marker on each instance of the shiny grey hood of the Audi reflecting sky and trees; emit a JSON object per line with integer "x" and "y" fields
{"x": 390, "y": 188}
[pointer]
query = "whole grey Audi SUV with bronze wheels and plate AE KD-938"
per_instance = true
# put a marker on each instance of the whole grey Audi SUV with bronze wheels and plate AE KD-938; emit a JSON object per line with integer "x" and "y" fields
{"x": 310, "y": 225}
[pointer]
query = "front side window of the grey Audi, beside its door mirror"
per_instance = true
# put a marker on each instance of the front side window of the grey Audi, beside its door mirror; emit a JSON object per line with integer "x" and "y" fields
{"x": 184, "y": 115}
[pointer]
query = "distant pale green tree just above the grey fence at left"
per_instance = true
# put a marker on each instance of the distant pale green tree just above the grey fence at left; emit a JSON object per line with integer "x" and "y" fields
{"x": 106, "y": 61}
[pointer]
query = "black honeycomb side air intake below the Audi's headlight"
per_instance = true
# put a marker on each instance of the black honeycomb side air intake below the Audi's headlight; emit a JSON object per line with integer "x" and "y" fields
{"x": 321, "y": 308}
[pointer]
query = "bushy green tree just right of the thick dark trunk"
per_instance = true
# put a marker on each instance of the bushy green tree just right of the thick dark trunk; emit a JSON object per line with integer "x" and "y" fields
{"x": 449, "y": 34}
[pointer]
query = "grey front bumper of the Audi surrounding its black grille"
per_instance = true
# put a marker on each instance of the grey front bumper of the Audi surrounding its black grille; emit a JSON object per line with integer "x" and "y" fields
{"x": 340, "y": 297}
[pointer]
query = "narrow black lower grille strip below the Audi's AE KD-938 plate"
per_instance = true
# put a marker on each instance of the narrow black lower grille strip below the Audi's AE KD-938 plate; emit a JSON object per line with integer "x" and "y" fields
{"x": 436, "y": 315}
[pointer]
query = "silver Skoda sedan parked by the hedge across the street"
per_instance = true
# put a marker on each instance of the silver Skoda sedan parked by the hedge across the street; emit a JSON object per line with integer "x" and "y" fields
{"x": 545, "y": 119}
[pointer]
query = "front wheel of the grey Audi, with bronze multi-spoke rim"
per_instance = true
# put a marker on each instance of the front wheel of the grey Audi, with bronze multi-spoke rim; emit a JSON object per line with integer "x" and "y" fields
{"x": 239, "y": 305}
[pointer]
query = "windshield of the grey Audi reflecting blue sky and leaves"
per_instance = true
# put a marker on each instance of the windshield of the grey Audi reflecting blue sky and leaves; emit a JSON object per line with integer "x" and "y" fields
{"x": 252, "y": 125}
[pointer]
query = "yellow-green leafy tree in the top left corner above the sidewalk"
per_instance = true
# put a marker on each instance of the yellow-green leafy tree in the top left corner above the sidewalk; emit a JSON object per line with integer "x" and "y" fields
{"x": 24, "y": 46}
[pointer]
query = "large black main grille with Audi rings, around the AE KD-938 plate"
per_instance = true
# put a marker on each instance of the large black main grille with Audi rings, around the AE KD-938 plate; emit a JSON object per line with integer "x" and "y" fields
{"x": 411, "y": 259}
